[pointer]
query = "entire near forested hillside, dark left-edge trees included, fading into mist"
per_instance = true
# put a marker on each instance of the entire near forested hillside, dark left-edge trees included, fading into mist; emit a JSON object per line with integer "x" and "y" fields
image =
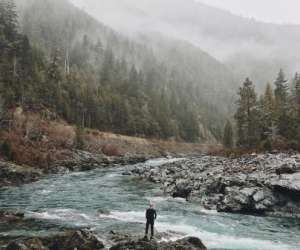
{"x": 94, "y": 77}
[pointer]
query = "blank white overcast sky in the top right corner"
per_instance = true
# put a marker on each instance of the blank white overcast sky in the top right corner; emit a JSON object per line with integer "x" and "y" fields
{"x": 275, "y": 11}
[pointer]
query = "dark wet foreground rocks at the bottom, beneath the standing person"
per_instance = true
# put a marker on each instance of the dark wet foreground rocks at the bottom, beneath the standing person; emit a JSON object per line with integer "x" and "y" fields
{"x": 86, "y": 239}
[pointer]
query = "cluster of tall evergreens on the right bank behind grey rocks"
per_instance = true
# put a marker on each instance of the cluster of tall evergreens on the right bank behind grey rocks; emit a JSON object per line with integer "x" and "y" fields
{"x": 270, "y": 121}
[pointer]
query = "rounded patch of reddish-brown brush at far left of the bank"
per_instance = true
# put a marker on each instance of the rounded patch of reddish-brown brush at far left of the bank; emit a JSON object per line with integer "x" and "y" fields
{"x": 35, "y": 141}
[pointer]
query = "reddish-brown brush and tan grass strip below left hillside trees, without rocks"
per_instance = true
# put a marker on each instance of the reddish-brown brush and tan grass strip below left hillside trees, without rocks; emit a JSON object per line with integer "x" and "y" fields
{"x": 39, "y": 140}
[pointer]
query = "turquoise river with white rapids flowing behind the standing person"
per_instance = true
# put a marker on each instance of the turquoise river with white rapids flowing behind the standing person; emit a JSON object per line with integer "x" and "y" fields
{"x": 106, "y": 200}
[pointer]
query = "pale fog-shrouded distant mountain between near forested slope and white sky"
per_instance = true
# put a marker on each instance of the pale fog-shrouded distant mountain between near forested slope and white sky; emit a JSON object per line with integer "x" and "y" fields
{"x": 248, "y": 47}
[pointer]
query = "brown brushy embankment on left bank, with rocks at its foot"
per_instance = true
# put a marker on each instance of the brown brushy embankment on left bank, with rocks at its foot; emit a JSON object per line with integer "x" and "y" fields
{"x": 45, "y": 142}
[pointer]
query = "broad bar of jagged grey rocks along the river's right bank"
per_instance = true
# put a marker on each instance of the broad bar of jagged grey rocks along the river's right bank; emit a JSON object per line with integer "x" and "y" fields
{"x": 261, "y": 184}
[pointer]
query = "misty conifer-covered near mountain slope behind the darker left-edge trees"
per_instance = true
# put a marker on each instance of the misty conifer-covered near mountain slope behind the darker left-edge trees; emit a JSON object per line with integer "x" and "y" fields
{"x": 161, "y": 87}
